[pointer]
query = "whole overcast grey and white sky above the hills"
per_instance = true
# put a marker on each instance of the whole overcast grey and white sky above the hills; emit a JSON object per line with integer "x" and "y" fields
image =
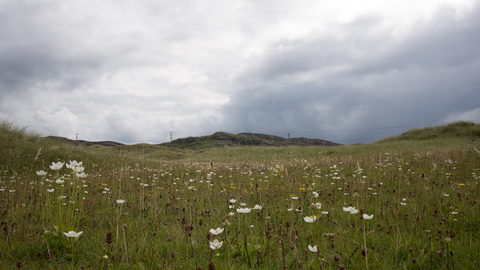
{"x": 133, "y": 71}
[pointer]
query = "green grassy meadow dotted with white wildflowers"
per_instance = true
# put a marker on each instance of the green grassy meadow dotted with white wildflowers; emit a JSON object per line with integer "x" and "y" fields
{"x": 406, "y": 202}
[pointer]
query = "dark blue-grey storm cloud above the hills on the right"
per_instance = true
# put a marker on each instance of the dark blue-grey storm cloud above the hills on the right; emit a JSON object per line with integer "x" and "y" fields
{"x": 358, "y": 77}
